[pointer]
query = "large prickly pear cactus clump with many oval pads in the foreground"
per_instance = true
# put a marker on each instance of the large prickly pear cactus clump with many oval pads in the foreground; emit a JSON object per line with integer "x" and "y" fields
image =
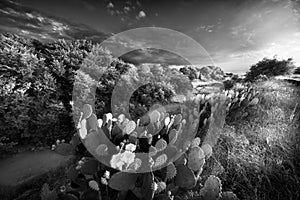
{"x": 166, "y": 147}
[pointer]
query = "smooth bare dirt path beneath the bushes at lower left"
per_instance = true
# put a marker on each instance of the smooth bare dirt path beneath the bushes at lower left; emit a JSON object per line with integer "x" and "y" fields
{"x": 22, "y": 167}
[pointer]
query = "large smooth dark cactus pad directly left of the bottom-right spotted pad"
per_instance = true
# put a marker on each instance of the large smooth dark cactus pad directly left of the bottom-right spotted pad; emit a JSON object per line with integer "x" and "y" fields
{"x": 185, "y": 177}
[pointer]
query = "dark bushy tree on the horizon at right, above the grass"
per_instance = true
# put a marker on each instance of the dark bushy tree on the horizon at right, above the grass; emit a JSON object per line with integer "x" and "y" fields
{"x": 270, "y": 68}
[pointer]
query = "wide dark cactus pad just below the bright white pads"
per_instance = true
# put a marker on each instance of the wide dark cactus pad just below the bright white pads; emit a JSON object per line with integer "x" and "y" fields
{"x": 122, "y": 181}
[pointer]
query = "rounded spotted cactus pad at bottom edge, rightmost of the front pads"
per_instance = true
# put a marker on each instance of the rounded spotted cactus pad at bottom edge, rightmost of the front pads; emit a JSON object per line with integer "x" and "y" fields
{"x": 212, "y": 188}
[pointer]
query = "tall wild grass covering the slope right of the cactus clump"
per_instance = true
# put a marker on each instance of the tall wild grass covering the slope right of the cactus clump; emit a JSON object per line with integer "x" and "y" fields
{"x": 259, "y": 149}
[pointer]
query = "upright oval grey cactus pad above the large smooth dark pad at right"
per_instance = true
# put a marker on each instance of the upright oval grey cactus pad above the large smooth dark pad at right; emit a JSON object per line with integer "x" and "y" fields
{"x": 196, "y": 158}
